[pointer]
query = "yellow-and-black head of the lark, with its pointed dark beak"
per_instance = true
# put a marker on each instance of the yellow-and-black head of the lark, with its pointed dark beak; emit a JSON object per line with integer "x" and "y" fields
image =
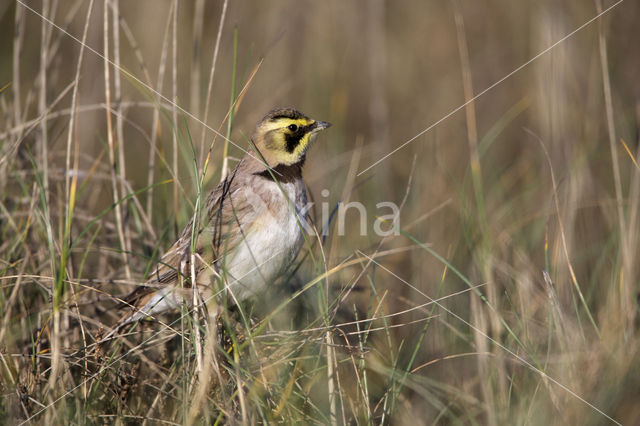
{"x": 283, "y": 136}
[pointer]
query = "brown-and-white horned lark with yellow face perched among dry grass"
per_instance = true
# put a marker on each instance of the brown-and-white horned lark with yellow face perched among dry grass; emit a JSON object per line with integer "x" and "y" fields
{"x": 251, "y": 229}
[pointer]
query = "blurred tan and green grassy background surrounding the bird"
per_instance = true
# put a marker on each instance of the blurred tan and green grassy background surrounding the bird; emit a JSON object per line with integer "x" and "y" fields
{"x": 516, "y": 129}
